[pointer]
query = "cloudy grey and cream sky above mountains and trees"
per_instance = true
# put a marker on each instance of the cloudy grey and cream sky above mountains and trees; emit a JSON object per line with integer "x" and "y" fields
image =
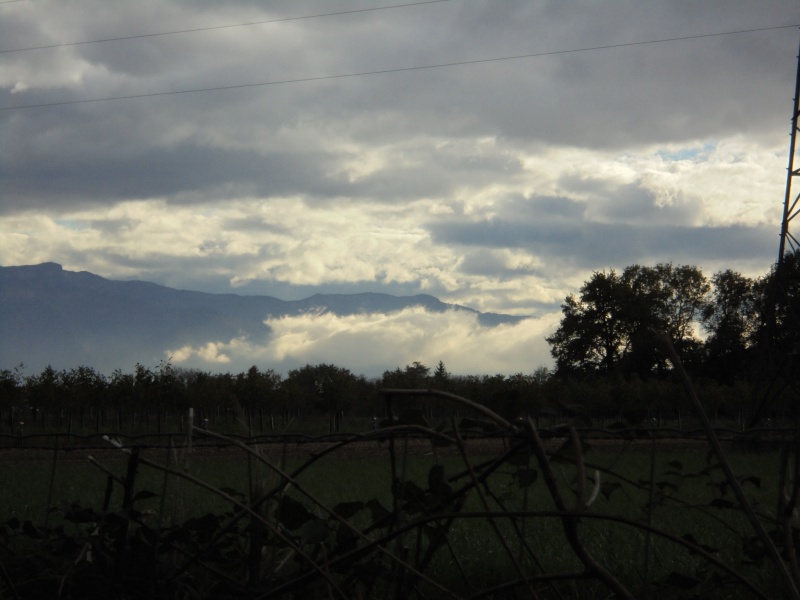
{"x": 492, "y": 153}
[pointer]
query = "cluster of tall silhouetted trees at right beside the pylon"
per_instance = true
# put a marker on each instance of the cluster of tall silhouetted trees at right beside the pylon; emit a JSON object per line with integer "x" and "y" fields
{"x": 721, "y": 327}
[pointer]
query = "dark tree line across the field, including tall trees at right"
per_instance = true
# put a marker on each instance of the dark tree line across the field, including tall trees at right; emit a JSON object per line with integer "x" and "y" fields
{"x": 724, "y": 328}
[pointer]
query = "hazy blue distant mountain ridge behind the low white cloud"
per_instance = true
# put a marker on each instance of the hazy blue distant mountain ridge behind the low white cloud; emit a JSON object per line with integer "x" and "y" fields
{"x": 67, "y": 318}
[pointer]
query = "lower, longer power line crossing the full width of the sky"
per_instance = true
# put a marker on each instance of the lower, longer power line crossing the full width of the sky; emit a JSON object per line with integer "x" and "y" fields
{"x": 394, "y": 70}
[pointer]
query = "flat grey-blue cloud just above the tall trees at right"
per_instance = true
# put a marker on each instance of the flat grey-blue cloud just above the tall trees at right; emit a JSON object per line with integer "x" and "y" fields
{"x": 559, "y": 231}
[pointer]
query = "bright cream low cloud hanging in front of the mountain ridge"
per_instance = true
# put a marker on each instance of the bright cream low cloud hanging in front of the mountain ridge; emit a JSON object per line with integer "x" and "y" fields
{"x": 371, "y": 344}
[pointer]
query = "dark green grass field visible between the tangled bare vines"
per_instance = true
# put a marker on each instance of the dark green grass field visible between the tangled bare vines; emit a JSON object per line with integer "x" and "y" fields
{"x": 687, "y": 497}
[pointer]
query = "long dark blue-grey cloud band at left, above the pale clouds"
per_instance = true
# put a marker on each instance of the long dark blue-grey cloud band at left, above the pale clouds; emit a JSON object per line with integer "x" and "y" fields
{"x": 139, "y": 173}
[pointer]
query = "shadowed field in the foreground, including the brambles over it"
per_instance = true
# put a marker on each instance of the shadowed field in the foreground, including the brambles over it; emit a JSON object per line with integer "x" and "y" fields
{"x": 396, "y": 513}
